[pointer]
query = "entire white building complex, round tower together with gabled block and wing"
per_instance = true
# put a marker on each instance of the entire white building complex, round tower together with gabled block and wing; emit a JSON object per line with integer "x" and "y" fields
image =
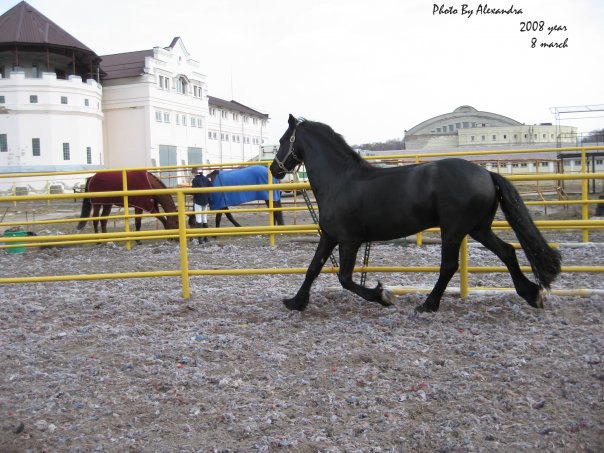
{"x": 151, "y": 107}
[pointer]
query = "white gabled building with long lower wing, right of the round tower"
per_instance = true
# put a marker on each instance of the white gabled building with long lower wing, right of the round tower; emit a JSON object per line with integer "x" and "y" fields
{"x": 158, "y": 112}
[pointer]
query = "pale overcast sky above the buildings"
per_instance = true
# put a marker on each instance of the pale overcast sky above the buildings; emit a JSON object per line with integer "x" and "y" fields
{"x": 369, "y": 68}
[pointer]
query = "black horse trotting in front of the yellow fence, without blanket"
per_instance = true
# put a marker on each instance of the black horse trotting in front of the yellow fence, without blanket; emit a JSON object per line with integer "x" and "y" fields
{"x": 360, "y": 203}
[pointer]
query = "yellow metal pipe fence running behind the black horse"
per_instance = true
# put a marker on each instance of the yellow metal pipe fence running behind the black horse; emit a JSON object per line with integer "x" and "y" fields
{"x": 183, "y": 233}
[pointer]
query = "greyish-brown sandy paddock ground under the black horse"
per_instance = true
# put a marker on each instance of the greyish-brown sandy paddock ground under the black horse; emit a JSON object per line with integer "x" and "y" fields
{"x": 129, "y": 365}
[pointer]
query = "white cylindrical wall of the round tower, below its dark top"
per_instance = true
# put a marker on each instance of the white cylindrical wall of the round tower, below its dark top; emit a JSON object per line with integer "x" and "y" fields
{"x": 49, "y": 124}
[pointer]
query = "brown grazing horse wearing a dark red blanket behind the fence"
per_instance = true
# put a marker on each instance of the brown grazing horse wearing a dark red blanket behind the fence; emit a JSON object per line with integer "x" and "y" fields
{"x": 136, "y": 180}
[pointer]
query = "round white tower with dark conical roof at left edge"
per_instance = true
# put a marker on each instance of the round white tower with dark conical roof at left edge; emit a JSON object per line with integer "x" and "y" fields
{"x": 50, "y": 102}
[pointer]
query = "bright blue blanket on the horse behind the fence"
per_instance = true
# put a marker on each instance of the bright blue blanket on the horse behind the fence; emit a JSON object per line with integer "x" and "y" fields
{"x": 253, "y": 175}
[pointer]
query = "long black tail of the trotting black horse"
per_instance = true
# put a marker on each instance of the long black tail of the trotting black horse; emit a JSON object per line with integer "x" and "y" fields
{"x": 544, "y": 260}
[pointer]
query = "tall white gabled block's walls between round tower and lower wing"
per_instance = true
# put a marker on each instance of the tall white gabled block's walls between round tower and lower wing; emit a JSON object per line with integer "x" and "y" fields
{"x": 157, "y": 118}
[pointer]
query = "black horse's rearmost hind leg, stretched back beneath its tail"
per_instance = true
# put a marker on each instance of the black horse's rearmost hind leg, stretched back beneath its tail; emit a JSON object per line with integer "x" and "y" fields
{"x": 526, "y": 289}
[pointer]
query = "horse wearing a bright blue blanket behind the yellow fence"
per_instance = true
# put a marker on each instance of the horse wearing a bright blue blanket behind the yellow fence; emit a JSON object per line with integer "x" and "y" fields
{"x": 253, "y": 175}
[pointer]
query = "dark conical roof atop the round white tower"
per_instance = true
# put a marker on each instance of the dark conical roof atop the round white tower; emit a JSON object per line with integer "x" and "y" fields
{"x": 23, "y": 24}
